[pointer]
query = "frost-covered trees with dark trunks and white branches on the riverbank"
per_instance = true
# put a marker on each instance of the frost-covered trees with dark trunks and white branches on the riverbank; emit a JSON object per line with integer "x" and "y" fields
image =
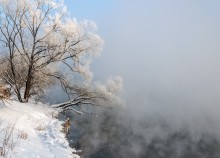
{"x": 42, "y": 46}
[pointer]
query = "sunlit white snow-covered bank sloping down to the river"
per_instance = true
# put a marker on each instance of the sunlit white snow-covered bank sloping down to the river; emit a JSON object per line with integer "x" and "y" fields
{"x": 37, "y": 133}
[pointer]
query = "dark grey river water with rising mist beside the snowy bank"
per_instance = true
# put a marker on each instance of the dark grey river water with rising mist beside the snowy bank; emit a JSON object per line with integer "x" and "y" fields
{"x": 110, "y": 135}
